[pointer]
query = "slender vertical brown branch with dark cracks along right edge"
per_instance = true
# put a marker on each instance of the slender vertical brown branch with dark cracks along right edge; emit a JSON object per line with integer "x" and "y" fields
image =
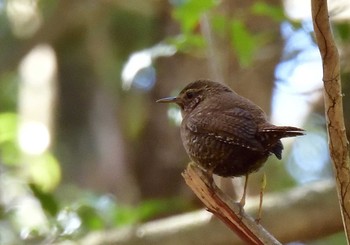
{"x": 338, "y": 143}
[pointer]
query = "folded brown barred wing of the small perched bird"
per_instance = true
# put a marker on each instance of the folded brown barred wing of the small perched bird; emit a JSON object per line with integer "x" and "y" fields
{"x": 233, "y": 126}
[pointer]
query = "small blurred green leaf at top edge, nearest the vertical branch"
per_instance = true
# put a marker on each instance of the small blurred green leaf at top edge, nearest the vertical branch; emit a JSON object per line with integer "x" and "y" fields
{"x": 264, "y": 9}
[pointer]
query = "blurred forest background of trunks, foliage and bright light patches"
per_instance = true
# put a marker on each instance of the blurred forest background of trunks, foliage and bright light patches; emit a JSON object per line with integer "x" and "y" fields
{"x": 84, "y": 147}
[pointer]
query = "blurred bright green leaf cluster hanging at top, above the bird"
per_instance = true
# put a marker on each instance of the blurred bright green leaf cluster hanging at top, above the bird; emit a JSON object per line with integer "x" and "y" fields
{"x": 244, "y": 42}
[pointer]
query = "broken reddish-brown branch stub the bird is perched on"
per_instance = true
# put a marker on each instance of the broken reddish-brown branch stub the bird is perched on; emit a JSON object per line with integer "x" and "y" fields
{"x": 229, "y": 212}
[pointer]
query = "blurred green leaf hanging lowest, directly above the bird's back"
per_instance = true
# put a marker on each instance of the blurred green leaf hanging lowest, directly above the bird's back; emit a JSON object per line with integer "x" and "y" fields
{"x": 243, "y": 42}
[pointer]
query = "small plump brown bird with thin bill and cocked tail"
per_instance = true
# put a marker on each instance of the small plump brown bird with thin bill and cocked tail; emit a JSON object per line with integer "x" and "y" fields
{"x": 225, "y": 133}
